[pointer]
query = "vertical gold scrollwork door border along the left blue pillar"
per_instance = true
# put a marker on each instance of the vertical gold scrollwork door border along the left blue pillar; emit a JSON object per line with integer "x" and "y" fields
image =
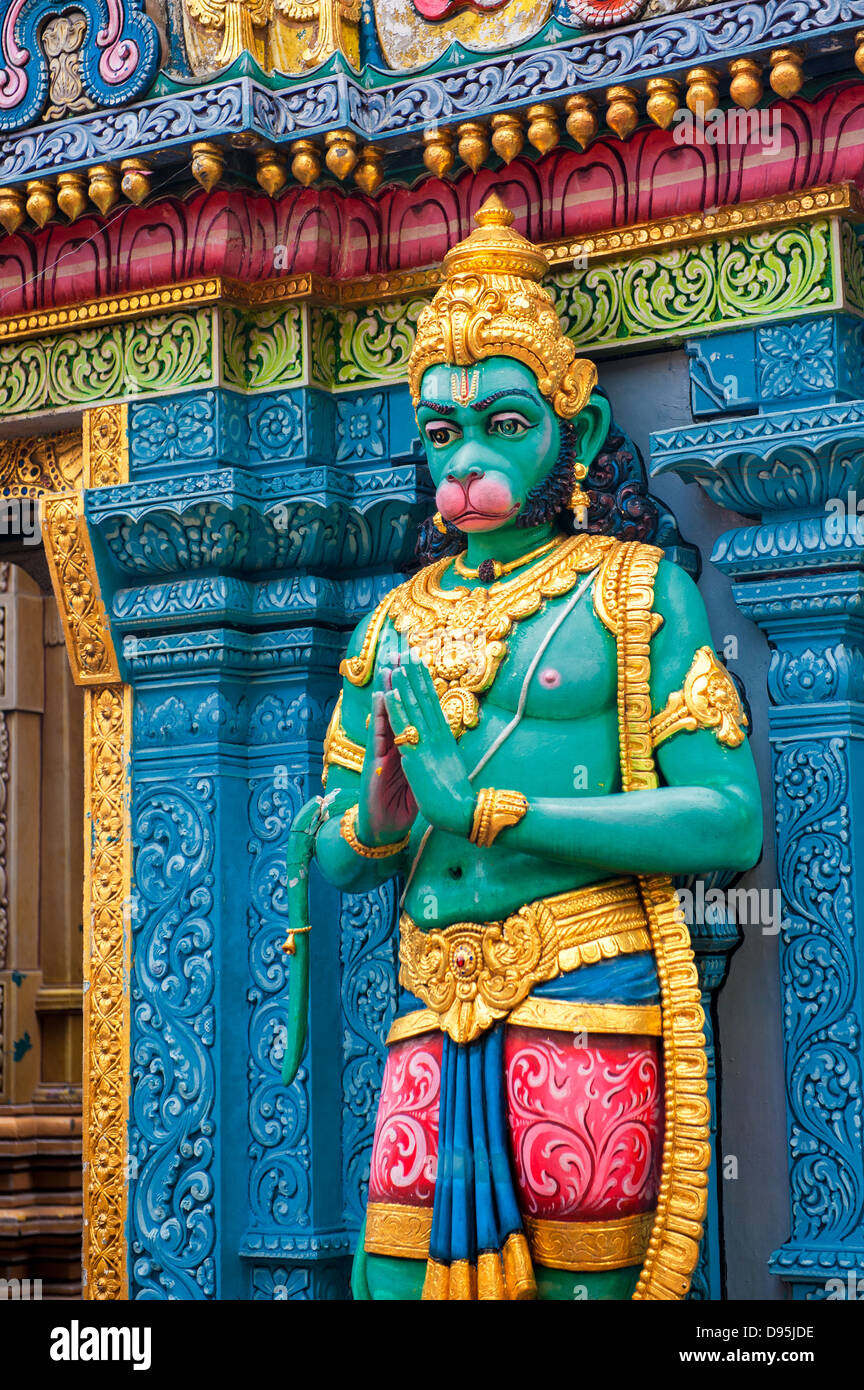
{"x": 103, "y": 462}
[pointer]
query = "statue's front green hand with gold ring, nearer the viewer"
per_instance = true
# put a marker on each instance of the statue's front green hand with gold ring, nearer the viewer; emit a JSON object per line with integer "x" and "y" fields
{"x": 433, "y": 765}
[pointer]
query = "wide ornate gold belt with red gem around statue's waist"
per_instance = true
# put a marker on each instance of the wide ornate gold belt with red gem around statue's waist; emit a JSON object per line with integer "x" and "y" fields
{"x": 473, "y": 975}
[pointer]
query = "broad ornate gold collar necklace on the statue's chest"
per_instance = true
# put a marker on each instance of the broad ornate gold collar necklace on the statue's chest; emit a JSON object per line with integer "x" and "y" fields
{"x": 460, "y": 633}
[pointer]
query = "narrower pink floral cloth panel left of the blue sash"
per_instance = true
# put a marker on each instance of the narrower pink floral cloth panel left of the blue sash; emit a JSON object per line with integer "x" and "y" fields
{"x": 405, "y": 1153}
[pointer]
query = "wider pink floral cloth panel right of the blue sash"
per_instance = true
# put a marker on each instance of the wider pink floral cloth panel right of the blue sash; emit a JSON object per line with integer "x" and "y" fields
{"x": 585, "y": 1122}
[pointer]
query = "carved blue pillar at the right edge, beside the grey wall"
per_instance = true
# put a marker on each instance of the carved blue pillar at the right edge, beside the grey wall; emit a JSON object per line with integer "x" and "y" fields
{"x": 797, "y": 468}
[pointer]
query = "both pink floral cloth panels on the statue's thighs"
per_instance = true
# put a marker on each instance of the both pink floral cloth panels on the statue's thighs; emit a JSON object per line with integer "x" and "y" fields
{"x": 585, "y": 1124}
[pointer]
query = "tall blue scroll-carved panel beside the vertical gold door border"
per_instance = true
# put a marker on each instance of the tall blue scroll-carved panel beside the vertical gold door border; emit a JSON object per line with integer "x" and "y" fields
{"x": 173, "y": 1128}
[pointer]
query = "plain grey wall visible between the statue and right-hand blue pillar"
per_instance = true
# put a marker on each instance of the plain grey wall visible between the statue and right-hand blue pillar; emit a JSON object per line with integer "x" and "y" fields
{"x": 648, "y": 394}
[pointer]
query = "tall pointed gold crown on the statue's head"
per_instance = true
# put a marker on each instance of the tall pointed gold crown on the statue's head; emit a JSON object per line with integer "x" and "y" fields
{"x": 492, "y": 305}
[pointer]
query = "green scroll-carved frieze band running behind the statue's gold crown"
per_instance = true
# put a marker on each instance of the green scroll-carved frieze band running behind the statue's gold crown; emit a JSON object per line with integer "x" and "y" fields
{"x": 655, "y": 300}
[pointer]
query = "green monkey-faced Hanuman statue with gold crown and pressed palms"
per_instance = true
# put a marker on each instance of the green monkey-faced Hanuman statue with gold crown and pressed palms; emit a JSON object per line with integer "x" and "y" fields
{"x": 534, "y": 733}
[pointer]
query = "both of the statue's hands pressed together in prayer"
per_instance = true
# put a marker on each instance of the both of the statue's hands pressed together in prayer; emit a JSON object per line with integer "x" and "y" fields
{"x": 413, "y": 761}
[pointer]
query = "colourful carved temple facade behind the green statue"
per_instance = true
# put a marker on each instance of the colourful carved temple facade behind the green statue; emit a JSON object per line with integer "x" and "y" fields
{"x": 220, "y": 222}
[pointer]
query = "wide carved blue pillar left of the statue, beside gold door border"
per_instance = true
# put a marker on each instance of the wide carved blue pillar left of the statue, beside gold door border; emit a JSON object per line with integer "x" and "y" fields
{"x": 255, "y": 533}
